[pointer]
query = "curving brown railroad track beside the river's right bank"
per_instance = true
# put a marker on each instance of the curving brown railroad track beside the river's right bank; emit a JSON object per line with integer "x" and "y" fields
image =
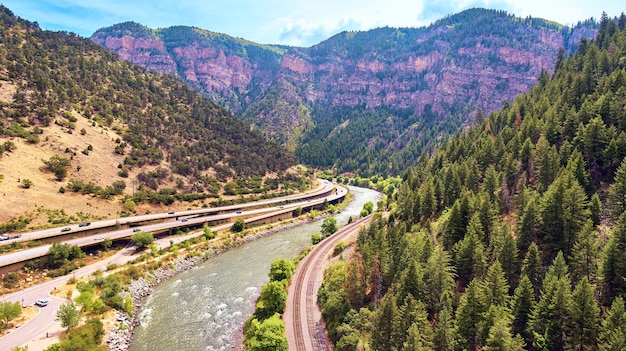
{"x": 306, "y": 335}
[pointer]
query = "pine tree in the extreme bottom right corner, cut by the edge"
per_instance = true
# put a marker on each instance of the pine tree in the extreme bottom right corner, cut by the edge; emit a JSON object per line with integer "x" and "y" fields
{"x": 613, "y": 332}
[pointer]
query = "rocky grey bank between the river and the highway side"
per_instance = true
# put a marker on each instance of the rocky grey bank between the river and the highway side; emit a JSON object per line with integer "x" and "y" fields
{"x": 120, "y": 338}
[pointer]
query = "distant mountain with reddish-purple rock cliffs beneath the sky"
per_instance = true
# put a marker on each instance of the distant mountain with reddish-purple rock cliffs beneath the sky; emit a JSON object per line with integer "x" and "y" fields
{"x": 463, "y": 63}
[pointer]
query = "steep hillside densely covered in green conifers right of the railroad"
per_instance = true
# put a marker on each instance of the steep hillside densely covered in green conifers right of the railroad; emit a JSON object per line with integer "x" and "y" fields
{"x": 512, "y": 236}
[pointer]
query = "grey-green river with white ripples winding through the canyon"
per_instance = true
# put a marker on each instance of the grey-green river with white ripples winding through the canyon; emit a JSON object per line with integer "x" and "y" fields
{"x": 205, "y": 308}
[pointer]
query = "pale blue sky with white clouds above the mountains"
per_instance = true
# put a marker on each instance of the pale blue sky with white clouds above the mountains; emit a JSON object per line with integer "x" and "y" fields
{"x": 290, "y": 22}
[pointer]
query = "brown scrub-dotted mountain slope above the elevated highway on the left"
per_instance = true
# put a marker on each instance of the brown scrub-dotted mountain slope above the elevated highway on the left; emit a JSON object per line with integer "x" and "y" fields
{"x": 71, "y": 110}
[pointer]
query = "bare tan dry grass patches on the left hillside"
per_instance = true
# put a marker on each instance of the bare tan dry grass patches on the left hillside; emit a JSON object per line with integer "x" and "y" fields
{"x": 27, "y": 161}
